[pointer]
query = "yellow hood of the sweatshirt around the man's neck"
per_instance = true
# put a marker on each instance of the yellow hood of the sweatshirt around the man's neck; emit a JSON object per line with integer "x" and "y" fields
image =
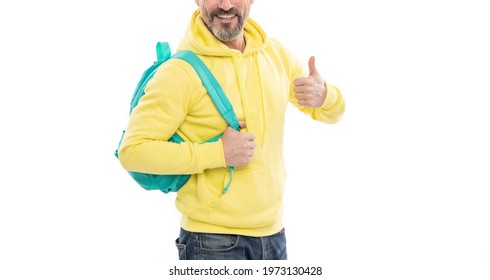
{"x": 201, "y": 41}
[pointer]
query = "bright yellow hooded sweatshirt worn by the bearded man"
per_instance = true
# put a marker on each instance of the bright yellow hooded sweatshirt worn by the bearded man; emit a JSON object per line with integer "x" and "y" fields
{"x": 259, "y": 84}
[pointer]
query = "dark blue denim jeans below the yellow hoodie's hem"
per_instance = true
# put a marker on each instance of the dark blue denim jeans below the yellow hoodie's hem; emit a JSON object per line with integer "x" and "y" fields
{"x": 209, "y": 246}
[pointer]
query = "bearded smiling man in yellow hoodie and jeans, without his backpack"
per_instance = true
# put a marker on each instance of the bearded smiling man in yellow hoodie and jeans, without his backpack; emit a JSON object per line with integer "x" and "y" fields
{"x": 259, "y": 77}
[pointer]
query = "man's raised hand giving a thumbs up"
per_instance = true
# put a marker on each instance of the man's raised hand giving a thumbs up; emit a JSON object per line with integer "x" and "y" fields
{"x": 310, "y": 91}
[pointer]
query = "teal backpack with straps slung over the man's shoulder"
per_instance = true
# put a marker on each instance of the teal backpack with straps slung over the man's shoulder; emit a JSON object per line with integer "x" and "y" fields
{"x": 172, "y": 183}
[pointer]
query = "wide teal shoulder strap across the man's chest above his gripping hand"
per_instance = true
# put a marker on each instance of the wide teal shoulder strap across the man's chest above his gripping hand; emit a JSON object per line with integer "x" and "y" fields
{"x": 212, "y": 86}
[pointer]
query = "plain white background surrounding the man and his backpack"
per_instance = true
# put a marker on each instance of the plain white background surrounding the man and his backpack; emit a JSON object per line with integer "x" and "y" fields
{"x": 399, "y": 189}
